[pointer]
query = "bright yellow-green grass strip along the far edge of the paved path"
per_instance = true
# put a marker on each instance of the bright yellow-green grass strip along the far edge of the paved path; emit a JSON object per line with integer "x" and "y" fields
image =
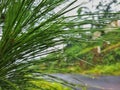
{"x": 111, "y": 69}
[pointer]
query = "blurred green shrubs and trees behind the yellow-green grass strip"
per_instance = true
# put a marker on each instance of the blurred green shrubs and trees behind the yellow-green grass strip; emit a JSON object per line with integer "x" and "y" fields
{"x": 82, "y": 45}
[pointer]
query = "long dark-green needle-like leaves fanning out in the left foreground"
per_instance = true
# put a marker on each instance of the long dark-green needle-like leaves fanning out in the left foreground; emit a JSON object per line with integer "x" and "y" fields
{"x": 29, "y": 29}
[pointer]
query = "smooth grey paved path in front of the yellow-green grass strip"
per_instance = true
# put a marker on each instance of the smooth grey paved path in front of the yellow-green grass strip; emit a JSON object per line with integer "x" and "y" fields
{"x": 93, "y": 83}
